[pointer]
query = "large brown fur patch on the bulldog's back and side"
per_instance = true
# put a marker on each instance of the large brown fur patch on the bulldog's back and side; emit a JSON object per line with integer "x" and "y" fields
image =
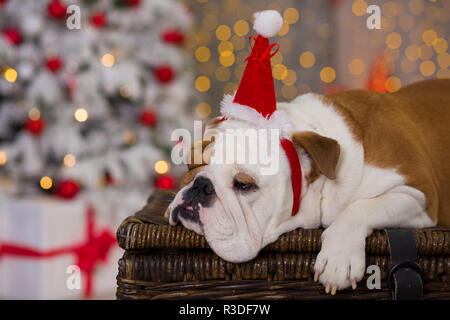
{"x": 409, "y": 131}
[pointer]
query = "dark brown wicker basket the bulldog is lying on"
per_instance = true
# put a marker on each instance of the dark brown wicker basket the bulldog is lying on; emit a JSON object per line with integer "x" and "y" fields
{"x": 165, "y": 262}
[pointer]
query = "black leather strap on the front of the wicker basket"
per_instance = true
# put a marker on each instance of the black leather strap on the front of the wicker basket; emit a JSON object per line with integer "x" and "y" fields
{"x": 405, "y": 275}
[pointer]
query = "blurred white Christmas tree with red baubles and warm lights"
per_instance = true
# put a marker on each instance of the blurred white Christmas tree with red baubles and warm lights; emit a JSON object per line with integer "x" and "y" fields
{"x": 92, "y": 105}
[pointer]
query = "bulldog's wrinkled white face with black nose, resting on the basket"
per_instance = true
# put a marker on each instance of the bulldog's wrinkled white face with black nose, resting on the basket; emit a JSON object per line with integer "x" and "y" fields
{"x": 236, "y": 206}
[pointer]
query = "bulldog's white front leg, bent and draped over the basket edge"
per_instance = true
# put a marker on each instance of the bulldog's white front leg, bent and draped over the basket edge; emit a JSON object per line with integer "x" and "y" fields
{"x": 341, "y": 261}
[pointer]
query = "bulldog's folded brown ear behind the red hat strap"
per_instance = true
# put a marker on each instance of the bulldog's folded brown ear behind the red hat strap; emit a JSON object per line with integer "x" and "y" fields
{"x": 323, "y": 151}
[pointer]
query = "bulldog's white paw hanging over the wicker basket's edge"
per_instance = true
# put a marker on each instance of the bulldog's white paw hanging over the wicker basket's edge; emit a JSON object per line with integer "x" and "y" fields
{"x": 341, "y": 260}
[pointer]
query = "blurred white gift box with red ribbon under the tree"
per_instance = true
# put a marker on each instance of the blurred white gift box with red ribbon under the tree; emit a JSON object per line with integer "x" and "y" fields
{"x": 42, "y": 237}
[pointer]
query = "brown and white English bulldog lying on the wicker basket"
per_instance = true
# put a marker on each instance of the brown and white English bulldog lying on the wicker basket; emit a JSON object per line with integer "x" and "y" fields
{"x": 369, "y": 161}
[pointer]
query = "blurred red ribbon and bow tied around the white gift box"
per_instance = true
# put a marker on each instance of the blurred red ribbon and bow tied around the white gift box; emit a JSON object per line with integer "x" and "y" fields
{"x": 88, "y": 254}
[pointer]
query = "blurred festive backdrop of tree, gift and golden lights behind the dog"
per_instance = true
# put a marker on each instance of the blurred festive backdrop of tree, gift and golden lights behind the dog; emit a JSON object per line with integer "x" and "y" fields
{"x": 90, "y": 92}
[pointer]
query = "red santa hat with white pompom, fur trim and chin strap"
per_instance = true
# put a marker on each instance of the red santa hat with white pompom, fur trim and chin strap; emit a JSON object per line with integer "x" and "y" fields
{"x": 255, "y": 101}
